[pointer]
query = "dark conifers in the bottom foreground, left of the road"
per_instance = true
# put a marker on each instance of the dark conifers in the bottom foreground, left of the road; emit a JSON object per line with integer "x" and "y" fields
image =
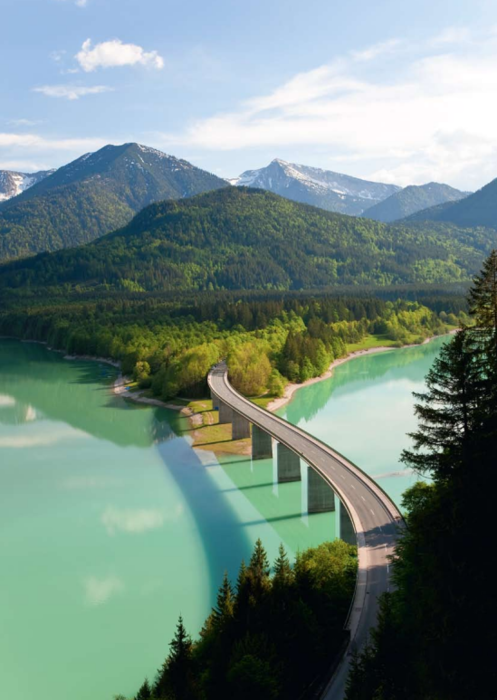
{"x": 272, "y": 635}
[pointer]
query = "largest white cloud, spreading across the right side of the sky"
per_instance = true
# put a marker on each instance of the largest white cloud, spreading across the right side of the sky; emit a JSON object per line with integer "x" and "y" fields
{"x": 424, "y": 115}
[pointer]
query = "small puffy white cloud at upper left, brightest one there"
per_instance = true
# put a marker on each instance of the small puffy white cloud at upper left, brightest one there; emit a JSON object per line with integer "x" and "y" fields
{"x": 111, "y": 54}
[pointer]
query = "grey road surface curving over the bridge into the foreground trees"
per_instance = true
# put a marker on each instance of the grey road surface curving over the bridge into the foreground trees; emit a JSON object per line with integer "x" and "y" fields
{"x": 375, "y": 517}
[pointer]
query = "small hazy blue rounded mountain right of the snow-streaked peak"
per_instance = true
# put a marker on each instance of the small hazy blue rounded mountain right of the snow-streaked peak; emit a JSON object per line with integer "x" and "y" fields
{"x": 411, "y": 200}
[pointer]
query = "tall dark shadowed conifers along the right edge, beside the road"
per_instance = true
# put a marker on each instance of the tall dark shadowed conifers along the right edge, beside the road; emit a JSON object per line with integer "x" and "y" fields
{"x": 436, "y": 637}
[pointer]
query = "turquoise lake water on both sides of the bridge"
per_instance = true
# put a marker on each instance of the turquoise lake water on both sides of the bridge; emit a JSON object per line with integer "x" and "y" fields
{"x": 111, "y": 525}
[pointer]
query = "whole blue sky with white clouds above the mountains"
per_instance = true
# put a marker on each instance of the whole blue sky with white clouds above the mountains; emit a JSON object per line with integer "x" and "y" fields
{"x": 399, "y": 92}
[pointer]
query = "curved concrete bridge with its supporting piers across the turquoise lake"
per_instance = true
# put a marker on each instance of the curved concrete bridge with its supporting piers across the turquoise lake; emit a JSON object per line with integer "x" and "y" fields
{"x": 364, "y": 506}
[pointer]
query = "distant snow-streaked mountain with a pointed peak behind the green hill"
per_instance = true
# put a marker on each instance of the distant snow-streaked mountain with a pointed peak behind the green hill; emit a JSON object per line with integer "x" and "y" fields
{"x": 322, "y": 188}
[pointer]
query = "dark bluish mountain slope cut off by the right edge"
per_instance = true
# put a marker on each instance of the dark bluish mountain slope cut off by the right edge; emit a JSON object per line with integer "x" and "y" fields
{"x": 479, "y": 209}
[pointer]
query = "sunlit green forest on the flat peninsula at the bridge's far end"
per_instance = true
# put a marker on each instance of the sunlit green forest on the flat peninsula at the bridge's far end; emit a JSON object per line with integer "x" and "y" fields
{"x": 169, "y": 344}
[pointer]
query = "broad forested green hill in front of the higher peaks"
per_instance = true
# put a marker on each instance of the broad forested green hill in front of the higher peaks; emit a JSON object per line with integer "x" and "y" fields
{"x": 241, "y": 238}
